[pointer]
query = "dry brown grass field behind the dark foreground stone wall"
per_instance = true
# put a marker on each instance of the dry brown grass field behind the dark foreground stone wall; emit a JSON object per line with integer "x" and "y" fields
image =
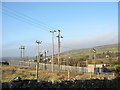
{"x": 9, "y": 72}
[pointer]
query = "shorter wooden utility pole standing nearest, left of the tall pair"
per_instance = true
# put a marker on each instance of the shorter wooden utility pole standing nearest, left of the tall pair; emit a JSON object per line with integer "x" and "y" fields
{"x": 38, "y": 57}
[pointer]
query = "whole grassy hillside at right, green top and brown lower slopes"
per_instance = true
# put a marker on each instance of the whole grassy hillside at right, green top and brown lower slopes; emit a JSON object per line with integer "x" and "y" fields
{"x": 80, "y": 56}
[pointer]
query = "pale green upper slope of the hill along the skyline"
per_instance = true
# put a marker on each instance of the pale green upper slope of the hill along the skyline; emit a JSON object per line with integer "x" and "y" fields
{"x": 88, "y": 51}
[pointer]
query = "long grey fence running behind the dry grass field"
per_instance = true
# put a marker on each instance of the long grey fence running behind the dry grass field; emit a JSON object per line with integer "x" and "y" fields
{"x": 44, "y": 66}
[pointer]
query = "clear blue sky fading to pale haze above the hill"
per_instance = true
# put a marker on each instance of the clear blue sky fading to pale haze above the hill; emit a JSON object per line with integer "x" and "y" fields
{"x": 82, "y": 25}
